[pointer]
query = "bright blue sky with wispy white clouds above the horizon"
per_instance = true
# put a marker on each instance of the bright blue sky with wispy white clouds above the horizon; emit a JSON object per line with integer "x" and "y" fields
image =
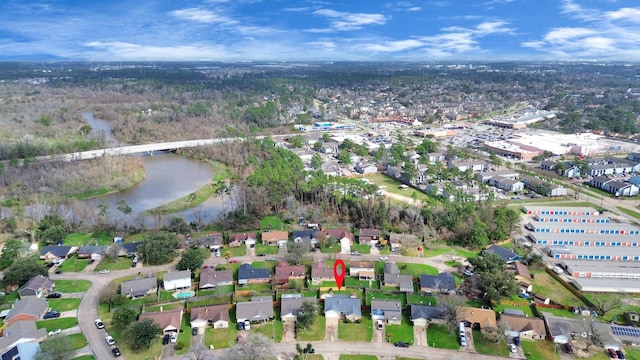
{"x": 298, "y": 30}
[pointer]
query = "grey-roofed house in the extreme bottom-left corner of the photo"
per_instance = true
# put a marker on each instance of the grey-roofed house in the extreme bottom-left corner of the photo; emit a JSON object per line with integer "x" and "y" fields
{"x": 20, "y": 333}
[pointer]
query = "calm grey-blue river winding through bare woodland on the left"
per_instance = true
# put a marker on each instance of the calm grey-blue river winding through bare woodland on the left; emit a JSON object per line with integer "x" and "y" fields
{"x": 168, "y": 177}
